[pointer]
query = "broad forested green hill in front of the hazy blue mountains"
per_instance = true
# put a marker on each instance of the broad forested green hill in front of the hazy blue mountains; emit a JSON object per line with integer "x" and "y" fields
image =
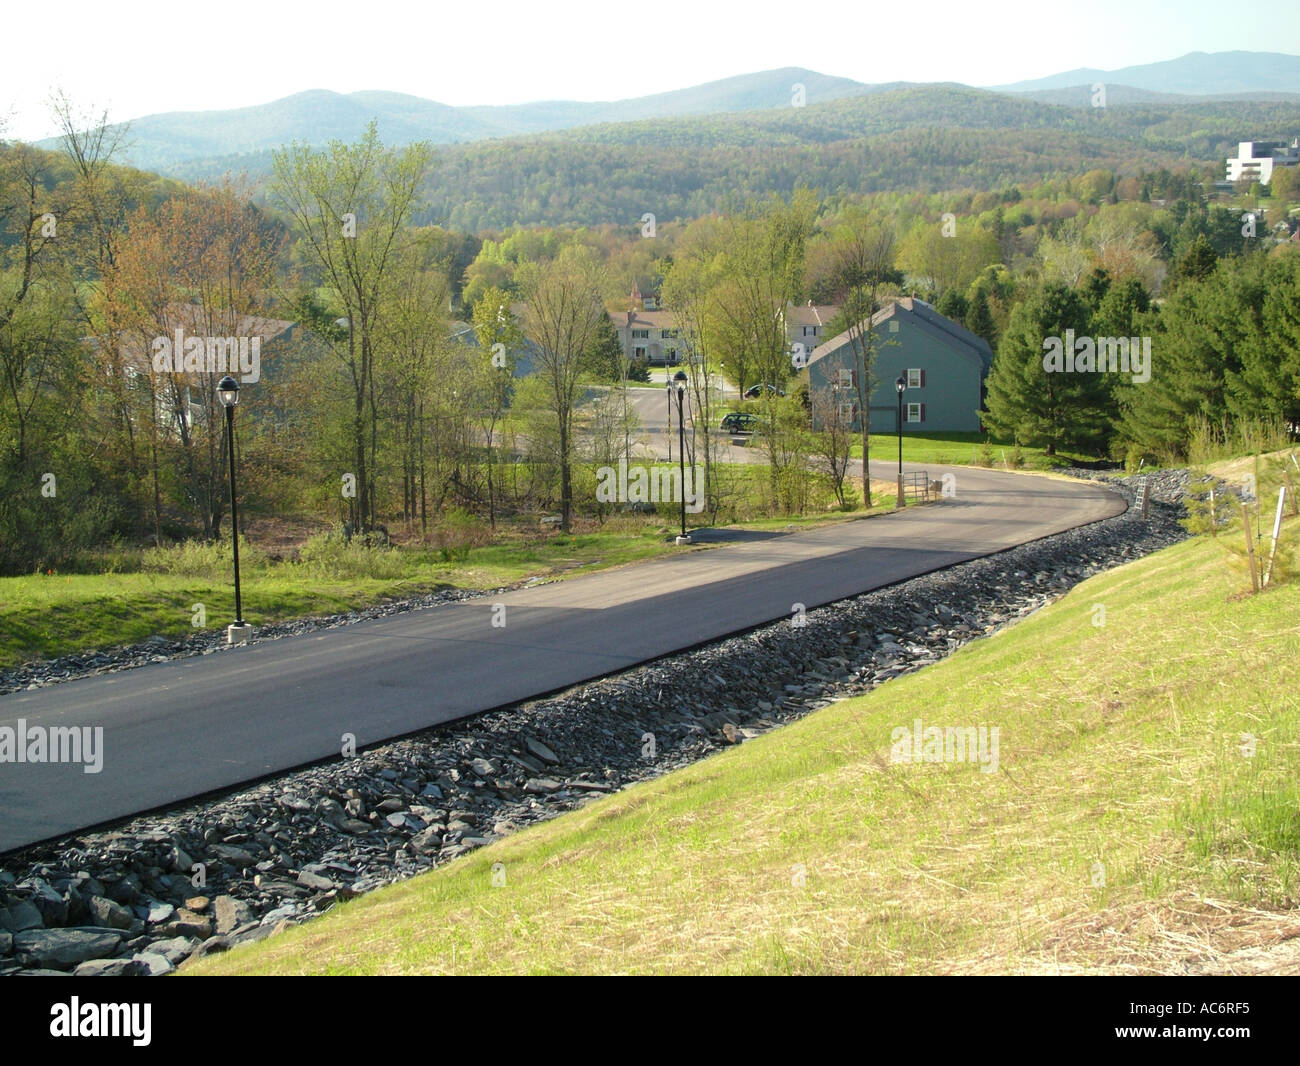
{"x": 917, "y": 138}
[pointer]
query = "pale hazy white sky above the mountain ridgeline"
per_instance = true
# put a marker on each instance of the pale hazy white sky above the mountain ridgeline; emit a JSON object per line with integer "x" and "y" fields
{"x": 137, "y": 58}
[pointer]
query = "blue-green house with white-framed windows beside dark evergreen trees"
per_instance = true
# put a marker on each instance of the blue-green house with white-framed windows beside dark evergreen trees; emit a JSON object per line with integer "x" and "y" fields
{"x": 943, "y": 365}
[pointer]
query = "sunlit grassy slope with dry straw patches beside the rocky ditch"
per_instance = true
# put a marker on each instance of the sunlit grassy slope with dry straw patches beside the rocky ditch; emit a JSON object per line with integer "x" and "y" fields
{"x": 1124, "y": 827}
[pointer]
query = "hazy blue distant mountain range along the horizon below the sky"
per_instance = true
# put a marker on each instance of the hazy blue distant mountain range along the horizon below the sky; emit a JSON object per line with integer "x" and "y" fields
{"x": 205, "y": 144}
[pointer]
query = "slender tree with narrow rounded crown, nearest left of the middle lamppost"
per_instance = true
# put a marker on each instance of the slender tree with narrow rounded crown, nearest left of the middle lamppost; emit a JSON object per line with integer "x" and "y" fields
{"x": 565, "y": 310}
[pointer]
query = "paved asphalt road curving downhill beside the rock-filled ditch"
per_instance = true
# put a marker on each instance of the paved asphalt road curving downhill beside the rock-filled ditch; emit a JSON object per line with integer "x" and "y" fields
{"x": 187, "y": 727}
